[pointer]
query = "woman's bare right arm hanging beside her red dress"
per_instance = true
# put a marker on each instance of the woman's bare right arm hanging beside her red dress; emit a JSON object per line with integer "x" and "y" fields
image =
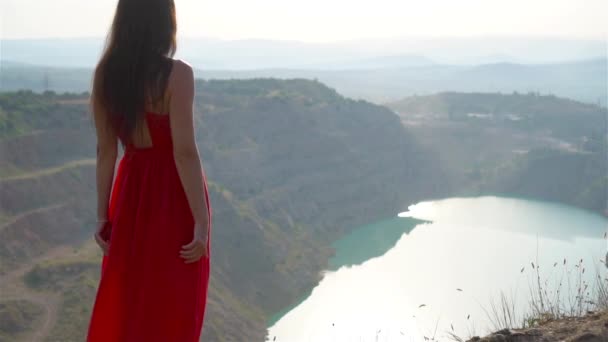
{"x": 187, "y": 160}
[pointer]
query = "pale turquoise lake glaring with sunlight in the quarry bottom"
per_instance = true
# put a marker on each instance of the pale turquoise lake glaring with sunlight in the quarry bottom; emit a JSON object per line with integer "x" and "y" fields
{"x": 439, "y": 267}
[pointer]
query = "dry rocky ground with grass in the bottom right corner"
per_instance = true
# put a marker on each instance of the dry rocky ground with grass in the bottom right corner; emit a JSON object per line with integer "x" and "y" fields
{"x": 591, "y": 328}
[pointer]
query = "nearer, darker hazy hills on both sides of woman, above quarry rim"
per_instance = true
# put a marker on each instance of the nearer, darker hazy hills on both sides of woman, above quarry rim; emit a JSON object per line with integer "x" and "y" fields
{"x": 379, "y": 79}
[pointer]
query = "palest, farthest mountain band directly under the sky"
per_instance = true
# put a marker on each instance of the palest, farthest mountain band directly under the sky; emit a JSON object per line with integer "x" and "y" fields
{"x": 214, "y": 54}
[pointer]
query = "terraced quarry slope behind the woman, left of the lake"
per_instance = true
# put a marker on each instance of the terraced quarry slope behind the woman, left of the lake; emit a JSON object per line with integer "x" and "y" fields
{"x": 291, "y": 164}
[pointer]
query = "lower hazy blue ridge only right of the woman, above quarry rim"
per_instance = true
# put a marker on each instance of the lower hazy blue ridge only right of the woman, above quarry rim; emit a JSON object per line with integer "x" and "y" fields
{"x": 583, "y": 80}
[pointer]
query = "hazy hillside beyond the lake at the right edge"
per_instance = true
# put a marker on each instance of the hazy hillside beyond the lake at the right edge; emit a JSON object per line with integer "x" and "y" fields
{"x": 517, "y": 144}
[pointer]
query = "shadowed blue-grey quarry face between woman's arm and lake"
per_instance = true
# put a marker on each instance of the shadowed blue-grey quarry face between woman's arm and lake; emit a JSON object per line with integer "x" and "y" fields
{"x": 327, "y": 161}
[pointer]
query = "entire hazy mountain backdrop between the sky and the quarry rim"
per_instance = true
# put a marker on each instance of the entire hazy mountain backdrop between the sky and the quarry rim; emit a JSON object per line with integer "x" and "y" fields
{"x": 377, "y": 70}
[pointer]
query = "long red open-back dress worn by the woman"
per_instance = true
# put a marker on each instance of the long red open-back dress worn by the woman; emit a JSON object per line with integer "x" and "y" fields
{"x": 147, "y": 292}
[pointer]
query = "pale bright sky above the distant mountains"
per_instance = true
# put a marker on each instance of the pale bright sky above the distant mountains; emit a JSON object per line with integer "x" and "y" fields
{"x": 322, "y": 20}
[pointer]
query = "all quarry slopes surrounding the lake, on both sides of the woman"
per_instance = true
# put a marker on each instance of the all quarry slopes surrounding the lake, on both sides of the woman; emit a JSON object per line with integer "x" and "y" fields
{"x": 292, "y": 166}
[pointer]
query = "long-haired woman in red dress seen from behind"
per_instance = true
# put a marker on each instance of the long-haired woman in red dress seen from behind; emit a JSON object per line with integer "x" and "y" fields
{"x": 154, "y": 224}
